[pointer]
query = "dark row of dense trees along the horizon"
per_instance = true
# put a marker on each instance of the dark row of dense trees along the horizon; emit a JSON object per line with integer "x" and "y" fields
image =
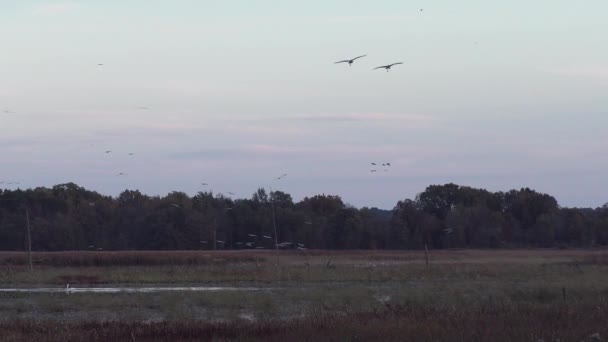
{"x": 69, "y": 217}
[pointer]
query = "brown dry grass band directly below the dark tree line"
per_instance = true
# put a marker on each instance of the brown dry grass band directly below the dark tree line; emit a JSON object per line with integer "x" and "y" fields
{"x": 154, "y": 258}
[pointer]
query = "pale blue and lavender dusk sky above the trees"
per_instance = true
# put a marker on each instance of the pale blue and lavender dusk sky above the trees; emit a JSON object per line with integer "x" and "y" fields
{"x": 234, "y": 93}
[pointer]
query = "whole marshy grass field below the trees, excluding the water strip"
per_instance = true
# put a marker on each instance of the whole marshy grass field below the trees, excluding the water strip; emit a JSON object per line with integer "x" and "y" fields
{"x": 464, "y": 295}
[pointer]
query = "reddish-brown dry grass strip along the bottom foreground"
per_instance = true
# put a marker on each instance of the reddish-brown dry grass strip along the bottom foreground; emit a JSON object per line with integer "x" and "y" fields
{"x": 518, "y": 323}
